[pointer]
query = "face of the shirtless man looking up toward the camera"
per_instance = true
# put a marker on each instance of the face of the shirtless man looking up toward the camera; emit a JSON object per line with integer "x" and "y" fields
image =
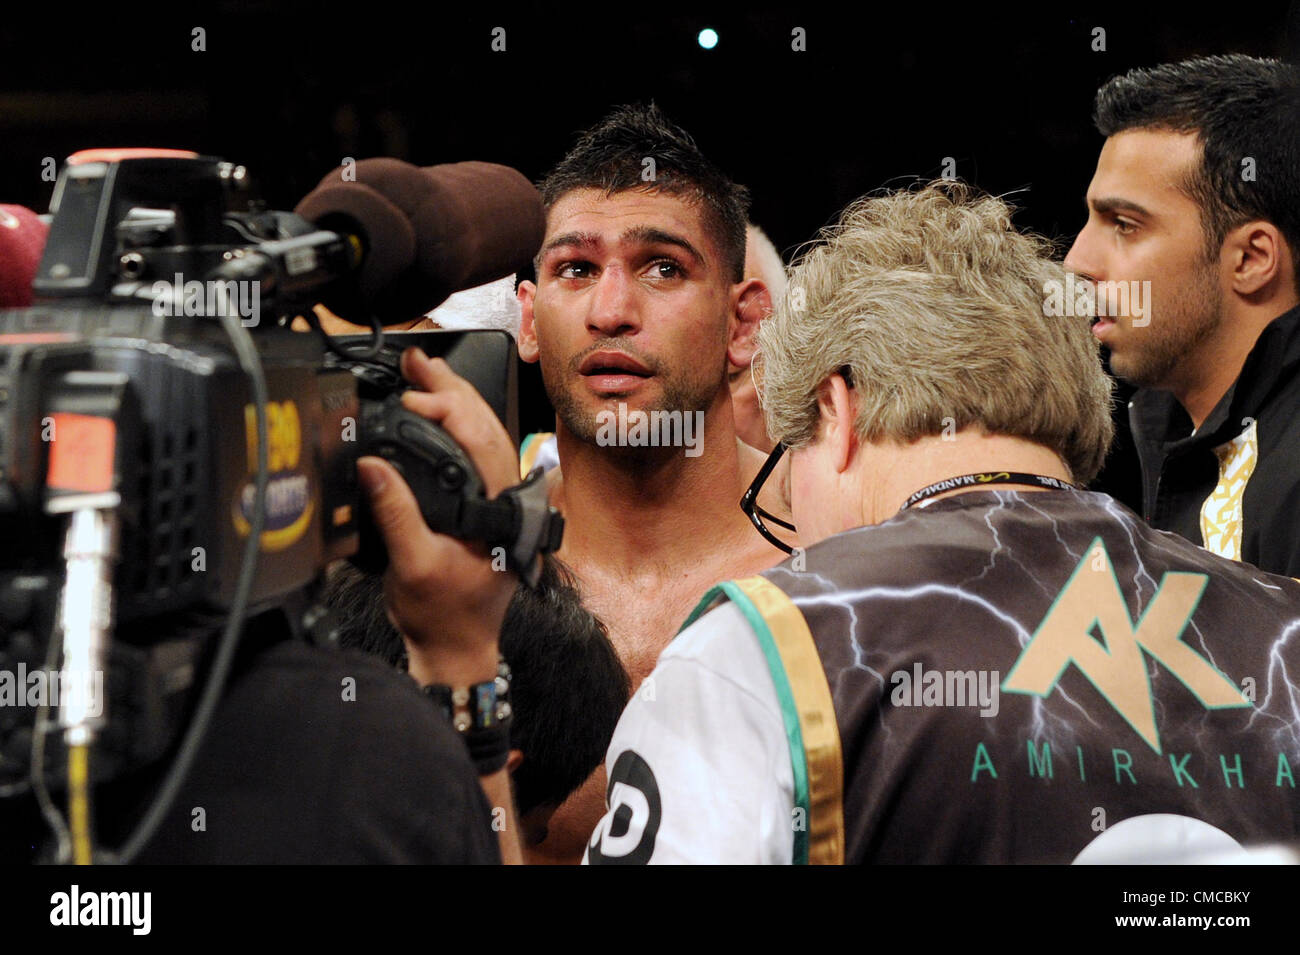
{"x": 631, "y": 306}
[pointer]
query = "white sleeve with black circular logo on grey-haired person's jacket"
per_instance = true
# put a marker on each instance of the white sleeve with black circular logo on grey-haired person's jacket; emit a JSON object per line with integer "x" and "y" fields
{"x": 700, "y": 766}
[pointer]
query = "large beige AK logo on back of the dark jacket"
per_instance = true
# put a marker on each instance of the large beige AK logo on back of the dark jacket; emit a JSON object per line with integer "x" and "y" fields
{"x": 1093, "y": 602}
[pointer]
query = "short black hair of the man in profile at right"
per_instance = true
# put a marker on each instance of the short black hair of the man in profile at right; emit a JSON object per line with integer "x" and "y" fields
{"x": 1240, "y": 107}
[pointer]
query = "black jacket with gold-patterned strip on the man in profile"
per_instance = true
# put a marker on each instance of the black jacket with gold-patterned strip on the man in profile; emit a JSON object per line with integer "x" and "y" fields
{"x": 1258, "y": 487}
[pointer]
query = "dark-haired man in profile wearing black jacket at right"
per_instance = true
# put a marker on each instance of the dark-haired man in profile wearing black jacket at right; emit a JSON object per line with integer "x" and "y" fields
{"x": 1193, "y": 238}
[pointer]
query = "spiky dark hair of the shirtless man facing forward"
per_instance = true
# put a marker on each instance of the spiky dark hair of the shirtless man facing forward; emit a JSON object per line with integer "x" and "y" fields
{"x": 612, "y": 157}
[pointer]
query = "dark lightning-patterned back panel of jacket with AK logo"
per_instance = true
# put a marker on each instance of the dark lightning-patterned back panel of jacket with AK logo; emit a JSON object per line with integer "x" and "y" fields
{"x": 1015, "y": 672}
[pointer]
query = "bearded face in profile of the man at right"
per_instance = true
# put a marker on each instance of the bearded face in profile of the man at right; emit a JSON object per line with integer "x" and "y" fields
{"x": 1143, "y": 240}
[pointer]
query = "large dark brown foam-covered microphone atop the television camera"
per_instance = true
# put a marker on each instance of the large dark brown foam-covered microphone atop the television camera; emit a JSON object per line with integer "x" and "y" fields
{"x": 430, "y": 232}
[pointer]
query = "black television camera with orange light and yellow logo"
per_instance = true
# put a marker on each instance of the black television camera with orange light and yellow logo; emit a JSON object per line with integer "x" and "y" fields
{"x": 176, "y": 461}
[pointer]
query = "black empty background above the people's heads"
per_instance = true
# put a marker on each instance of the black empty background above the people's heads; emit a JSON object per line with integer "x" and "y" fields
{"x": 878, "y": 98}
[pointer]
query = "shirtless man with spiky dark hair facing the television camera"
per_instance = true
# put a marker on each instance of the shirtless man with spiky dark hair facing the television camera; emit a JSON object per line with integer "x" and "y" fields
{"x": 639, "y": 306}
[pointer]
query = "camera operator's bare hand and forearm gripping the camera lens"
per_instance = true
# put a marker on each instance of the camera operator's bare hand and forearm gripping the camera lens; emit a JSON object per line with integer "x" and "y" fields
{"x": 444, "y": 594}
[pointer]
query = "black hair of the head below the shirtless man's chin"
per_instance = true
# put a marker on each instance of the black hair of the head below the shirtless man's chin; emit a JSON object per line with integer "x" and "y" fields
{"x": 569, "y": 688}
